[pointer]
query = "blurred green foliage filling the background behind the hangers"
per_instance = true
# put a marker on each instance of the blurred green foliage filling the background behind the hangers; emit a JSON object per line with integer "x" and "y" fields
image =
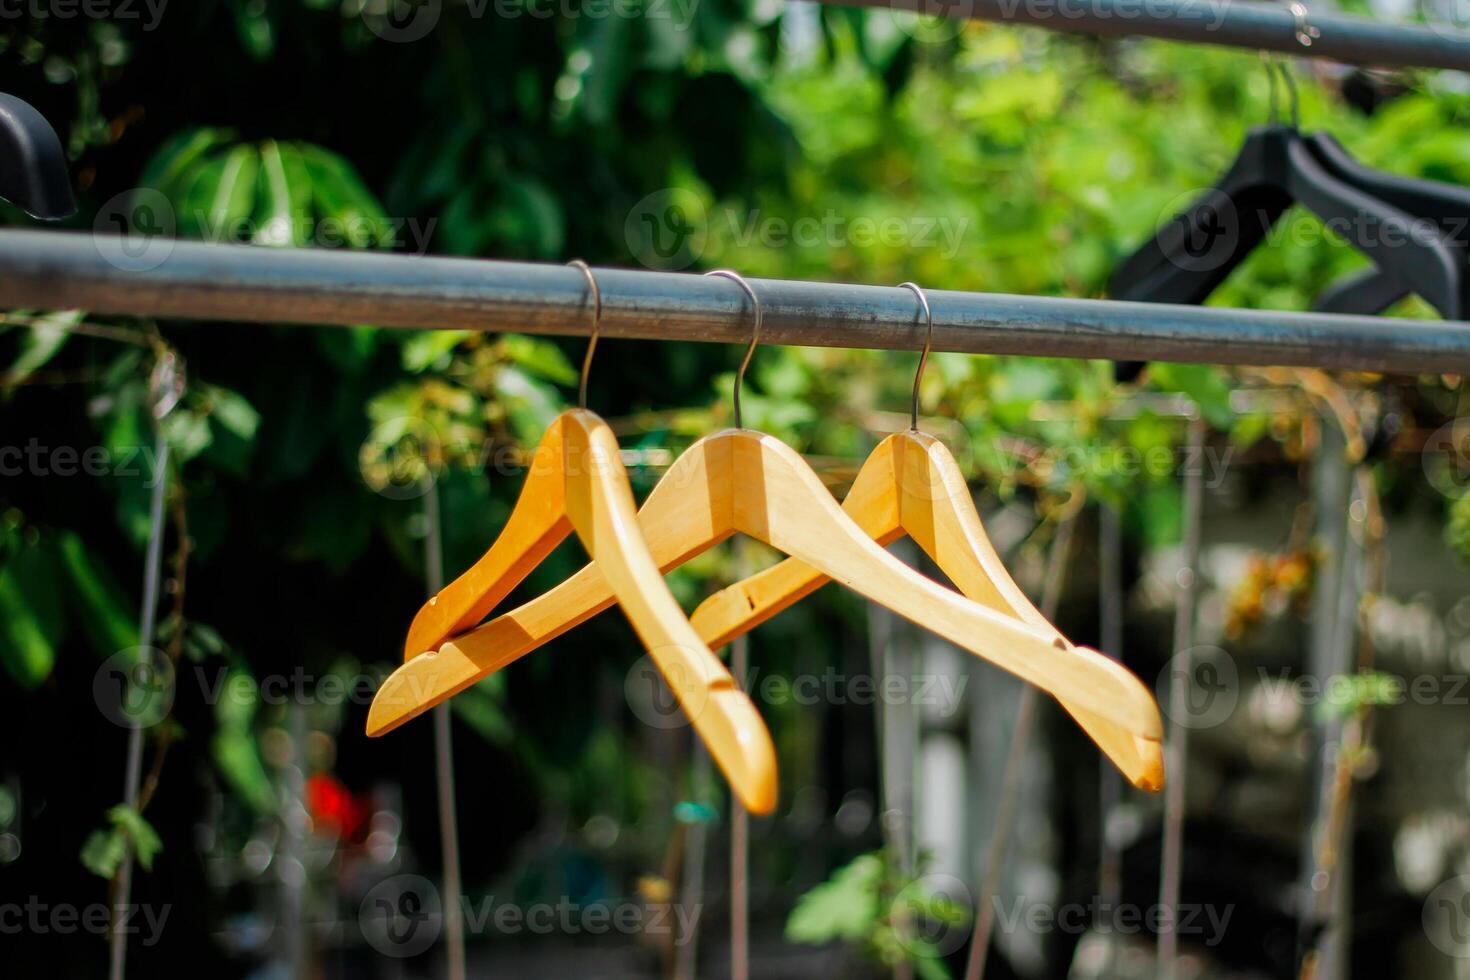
{"x": 781, "y": 140}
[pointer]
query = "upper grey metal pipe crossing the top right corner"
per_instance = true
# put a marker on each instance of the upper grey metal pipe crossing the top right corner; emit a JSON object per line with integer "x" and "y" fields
{"x": 1263, "y": 27}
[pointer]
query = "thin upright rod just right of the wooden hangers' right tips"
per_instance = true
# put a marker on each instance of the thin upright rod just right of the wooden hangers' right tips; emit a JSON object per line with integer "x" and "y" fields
{"x": 1177, "y": 752}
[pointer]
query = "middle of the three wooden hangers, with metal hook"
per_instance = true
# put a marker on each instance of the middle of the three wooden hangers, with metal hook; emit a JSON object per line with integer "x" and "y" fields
{"x": 747, "y": 483}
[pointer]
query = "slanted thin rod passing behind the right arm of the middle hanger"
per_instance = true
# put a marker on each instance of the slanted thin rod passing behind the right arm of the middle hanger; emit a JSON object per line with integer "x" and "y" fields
{"x": 1015, "y": 763}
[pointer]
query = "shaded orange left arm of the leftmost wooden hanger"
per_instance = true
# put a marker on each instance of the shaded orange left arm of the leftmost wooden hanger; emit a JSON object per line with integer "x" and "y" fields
{"x": 537, "y": 525}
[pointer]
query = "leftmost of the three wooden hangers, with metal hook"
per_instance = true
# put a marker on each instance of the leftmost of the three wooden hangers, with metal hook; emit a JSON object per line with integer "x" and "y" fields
{"x": 577, "y": 483}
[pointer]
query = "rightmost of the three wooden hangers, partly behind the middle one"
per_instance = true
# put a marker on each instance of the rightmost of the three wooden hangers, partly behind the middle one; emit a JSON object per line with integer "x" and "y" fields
{"x": 912, "y": 486}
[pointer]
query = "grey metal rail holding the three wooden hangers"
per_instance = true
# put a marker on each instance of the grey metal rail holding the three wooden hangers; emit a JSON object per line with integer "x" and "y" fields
{"x": 107, "y": 274}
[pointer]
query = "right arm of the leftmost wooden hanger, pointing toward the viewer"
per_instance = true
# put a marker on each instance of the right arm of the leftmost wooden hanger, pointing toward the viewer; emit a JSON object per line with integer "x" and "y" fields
{"x": 602, "y": 509}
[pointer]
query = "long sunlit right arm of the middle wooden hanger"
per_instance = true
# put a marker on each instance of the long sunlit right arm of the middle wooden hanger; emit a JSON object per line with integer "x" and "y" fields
{"x": 784, "y": 503}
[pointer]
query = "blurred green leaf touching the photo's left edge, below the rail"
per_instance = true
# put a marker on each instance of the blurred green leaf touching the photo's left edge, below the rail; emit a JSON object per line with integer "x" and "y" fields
{"x": 32, "y": 619}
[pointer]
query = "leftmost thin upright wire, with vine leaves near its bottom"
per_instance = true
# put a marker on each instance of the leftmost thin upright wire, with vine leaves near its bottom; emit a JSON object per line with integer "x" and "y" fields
{"x": 167, "y": 387}
